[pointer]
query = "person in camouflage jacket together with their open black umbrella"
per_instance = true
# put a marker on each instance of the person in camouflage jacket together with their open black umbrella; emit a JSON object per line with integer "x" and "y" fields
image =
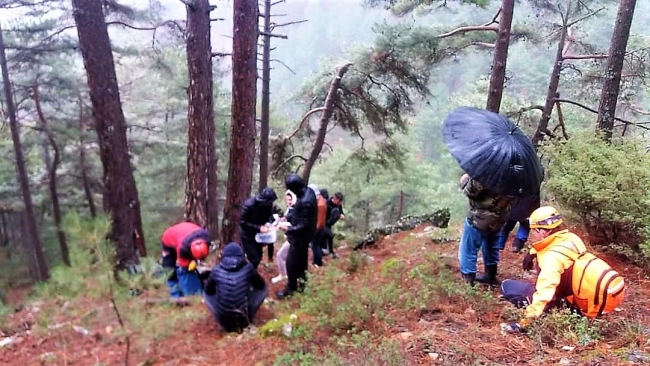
{"x": 500, "y": 165}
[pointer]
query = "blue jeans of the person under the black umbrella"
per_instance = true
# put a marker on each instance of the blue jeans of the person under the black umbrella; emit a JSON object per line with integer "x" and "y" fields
{"x": 472, "y": 240}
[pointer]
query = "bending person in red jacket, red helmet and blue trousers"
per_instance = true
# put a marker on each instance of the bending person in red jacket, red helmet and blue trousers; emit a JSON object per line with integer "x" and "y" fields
{"x": 182, "y": 245}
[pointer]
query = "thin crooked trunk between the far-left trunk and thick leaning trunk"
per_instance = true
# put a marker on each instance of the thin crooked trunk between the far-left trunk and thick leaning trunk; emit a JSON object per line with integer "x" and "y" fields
{"x": 52, "y": 184}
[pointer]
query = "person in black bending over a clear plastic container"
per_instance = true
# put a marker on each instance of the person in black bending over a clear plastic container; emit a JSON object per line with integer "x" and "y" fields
{"x": 256, "y": 213}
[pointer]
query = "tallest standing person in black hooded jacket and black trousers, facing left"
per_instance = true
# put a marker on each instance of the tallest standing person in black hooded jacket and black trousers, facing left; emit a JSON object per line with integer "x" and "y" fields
{"x": 299, "y": 234}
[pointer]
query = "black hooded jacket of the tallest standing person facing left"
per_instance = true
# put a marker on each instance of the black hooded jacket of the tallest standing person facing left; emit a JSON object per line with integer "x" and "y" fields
{"x": 303, "y": 216}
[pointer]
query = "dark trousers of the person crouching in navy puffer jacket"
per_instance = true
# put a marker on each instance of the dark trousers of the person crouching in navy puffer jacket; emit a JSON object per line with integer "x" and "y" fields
{"x": 236, "y": 320}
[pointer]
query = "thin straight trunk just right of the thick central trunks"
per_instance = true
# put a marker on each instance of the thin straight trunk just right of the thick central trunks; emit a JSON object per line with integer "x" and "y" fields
{"x": 266, "y": 96}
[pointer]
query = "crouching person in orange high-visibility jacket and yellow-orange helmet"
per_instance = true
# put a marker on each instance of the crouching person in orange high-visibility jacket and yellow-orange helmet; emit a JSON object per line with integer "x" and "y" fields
{"x": 566, "y": 271}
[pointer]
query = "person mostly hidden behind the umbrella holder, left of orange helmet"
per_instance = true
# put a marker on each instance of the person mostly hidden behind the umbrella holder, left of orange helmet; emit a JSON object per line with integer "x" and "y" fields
{"x": 519, "y": 214}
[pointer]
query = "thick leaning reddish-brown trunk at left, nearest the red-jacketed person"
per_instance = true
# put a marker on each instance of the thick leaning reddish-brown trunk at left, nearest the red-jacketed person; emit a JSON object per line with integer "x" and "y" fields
{"x": 120, "y": 192}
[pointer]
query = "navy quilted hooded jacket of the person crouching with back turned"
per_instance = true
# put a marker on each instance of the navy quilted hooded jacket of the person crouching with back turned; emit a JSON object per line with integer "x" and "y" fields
{"x": 231, "y": 281}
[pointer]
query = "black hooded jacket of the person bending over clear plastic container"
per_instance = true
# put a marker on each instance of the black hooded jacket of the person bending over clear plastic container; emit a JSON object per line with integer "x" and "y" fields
{"x": 256, "y": 211}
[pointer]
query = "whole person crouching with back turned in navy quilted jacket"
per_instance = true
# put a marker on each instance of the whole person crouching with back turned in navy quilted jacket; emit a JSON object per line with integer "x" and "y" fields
{"x": 234, "y": 291}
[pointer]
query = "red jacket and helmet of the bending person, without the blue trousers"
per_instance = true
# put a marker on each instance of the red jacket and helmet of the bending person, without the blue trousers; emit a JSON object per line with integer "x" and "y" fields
{"x": 178, "y": 239}
